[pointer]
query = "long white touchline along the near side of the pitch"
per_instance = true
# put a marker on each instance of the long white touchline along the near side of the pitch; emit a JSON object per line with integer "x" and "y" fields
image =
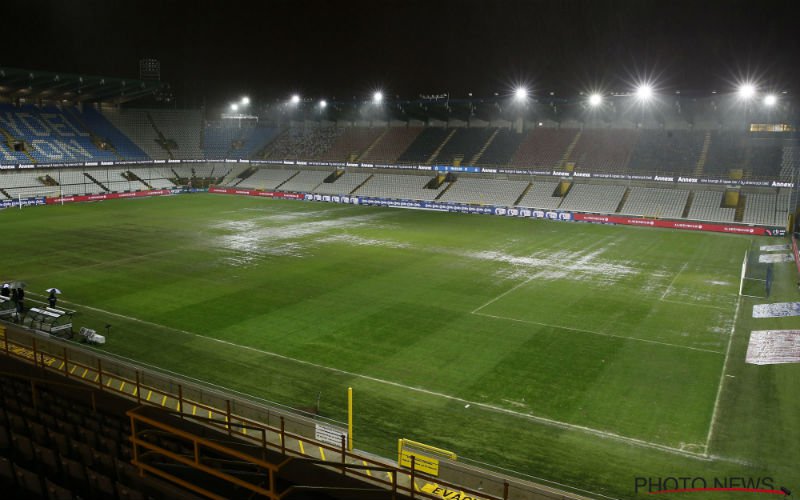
{"x": 497, "y": 409}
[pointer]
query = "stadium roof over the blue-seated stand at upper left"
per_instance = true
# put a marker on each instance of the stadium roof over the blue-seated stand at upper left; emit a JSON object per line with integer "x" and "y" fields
{"x": 16, "y": 83}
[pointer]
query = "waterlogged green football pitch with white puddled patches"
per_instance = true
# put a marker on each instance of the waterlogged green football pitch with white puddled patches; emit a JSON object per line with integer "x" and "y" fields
{"x": 581, "y": 355}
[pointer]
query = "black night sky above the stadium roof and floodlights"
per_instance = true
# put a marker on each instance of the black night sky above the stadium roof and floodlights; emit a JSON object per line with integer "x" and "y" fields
{"x": 340, "y": 49}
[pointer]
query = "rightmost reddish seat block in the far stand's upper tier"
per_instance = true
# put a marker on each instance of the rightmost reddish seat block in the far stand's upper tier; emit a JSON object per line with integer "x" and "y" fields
{"x": 603, "y": 150}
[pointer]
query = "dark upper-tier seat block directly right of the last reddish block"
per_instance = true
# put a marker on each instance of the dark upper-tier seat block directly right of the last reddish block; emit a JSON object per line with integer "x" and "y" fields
{"x": 671, "y": 151}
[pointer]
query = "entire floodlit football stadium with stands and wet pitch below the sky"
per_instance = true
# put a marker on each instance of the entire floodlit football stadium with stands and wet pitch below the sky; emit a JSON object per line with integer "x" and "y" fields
{"x": 520, "y": 295}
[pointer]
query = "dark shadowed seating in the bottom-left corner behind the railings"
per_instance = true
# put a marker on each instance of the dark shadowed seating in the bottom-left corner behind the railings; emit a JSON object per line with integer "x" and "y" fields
{"x": 59, "y": 448}
